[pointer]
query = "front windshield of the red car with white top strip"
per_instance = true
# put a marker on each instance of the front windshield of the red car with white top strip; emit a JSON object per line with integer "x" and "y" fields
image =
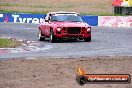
{"x": 66, "y": 18}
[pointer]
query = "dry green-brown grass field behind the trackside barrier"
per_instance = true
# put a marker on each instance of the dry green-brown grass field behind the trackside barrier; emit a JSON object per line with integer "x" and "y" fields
{"x": 84, "y": 7}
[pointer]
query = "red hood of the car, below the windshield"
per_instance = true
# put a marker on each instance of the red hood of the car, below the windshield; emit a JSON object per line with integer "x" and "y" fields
{"x": 70, "y": 24}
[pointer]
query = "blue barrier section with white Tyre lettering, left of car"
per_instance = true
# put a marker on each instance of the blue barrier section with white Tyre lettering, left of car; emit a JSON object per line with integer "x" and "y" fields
{"x": 21, "y": 18}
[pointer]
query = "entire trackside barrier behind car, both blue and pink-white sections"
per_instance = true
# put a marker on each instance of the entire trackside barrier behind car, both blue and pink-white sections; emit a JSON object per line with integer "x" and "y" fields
{"x": 113, "y": 21}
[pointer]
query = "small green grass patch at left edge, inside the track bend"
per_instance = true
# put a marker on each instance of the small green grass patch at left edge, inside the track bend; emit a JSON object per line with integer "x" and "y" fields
{"x": 7, "y": 43}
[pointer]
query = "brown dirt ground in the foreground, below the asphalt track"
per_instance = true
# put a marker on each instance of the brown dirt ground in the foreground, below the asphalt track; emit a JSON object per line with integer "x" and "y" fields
{"x": 60, "y": 73}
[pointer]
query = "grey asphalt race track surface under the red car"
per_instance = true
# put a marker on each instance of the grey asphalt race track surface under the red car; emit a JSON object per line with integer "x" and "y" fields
{"x": 106, "y": 41}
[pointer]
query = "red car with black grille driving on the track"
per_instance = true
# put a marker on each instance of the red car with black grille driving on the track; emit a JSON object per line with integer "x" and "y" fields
{"x": 64, "y": 25}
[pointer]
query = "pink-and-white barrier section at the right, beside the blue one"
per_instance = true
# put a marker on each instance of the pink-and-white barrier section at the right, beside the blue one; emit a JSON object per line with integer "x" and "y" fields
{"x": 115, "y": 21}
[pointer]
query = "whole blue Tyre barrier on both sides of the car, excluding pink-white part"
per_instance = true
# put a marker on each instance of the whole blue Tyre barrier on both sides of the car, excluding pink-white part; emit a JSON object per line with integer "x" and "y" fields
{"x": 37, "y": 18}
